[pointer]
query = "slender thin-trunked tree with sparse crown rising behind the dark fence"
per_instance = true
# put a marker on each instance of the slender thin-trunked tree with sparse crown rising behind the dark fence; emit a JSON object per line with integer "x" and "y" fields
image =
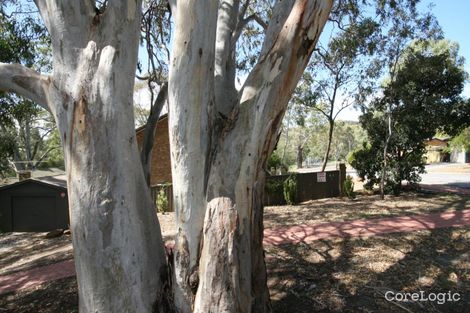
{"x": 338, "y": 74}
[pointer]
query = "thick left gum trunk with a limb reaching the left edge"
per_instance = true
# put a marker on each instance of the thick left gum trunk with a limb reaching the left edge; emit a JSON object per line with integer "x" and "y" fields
{"x": 119, "y": 253}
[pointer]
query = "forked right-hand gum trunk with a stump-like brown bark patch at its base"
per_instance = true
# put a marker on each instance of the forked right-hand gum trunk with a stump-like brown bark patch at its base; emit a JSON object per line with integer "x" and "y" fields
{"x": 218, "y": 166}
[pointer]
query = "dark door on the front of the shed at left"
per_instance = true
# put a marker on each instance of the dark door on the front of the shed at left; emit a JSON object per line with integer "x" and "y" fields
{"x": 33, "y": 213}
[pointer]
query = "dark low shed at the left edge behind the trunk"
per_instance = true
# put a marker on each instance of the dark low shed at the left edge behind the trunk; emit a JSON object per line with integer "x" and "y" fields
{"x": 34, "y": 205}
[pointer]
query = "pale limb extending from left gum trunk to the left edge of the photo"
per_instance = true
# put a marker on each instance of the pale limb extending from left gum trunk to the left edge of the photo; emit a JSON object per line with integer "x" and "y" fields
{"x": 25, "y": 82}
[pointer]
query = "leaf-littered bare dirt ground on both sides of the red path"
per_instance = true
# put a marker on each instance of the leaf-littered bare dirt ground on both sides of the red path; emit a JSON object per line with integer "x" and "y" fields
{"x": 336, "y": 275}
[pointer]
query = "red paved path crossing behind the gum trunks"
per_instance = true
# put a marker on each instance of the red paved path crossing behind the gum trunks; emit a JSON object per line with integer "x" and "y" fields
{"x": 278, "y": 236}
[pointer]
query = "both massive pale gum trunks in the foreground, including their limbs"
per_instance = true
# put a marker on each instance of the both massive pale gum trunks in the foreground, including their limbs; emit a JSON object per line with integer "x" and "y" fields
{"x": 220, "y": 140}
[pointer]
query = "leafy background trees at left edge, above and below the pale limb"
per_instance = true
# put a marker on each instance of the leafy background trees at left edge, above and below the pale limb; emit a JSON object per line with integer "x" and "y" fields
{"x": 23, "y": 39}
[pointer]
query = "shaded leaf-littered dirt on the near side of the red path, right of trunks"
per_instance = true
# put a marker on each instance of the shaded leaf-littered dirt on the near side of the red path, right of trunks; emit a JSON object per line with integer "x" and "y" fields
{"x": 353, "y": 275}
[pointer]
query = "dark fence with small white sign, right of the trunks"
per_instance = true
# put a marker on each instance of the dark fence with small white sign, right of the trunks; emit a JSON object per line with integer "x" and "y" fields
{"x": 310, "y": 186}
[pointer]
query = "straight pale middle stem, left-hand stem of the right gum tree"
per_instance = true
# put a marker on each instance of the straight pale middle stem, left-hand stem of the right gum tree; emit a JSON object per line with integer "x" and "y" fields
{"x": 191, "y": 97}
